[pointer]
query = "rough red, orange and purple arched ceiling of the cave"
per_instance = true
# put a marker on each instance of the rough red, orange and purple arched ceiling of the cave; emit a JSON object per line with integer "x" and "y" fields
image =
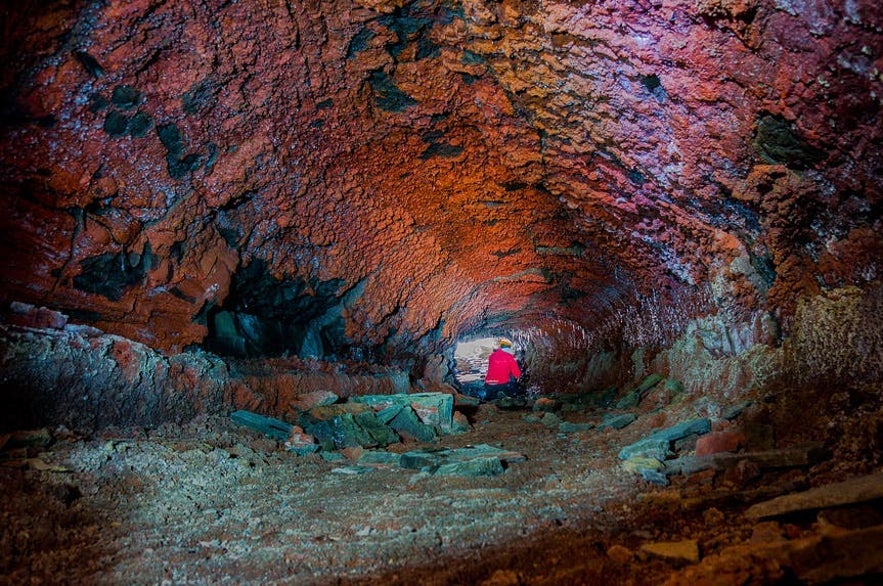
{"x": 375, "y": 176}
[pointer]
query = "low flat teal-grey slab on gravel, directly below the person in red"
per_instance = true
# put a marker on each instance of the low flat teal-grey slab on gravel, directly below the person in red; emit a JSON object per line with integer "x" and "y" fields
{"x": 480, "y": 460}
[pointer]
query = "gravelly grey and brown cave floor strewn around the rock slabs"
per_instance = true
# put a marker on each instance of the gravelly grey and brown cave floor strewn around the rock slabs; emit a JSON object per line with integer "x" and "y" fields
{"x": 214, "y": 503}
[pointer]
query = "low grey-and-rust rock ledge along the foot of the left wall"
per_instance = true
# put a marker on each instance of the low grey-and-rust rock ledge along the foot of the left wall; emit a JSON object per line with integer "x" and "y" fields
{"x": 80, "y": 377}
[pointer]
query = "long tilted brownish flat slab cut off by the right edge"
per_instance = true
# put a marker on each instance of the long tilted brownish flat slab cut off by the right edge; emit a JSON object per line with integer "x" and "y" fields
{"x": 856, "y": 490}
